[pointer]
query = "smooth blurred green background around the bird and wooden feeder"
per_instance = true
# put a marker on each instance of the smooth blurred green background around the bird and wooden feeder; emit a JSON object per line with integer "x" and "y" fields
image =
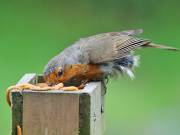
{"x": 33, "y": 31}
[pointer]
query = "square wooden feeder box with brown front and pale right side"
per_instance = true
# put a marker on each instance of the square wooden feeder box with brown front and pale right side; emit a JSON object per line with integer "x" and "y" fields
{"x": 58, "y": 112}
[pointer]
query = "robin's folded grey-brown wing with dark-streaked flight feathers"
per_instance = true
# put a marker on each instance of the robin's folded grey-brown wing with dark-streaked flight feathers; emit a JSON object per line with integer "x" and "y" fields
{"x": 110, "y": 46}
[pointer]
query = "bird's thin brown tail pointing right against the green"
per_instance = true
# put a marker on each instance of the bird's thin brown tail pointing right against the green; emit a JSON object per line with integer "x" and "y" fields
{"x": 161, "y": 47}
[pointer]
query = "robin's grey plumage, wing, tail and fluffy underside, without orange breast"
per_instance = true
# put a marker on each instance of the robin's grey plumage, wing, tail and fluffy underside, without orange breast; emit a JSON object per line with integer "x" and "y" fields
{"x": 111, "y": 51}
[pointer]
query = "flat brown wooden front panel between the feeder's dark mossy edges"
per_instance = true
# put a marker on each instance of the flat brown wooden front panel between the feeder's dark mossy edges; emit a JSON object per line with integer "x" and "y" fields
{"x": 50, "y": 114}
